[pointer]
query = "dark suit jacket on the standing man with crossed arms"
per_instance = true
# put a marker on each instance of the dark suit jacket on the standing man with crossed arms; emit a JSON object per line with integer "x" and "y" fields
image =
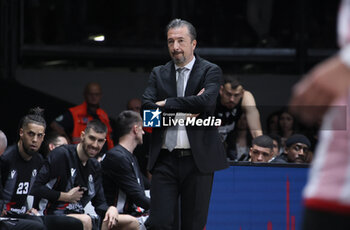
{"x": 207, "y": 149}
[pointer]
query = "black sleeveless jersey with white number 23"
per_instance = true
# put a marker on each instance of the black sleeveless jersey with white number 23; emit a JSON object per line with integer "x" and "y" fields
{"x": 17, "y": 178}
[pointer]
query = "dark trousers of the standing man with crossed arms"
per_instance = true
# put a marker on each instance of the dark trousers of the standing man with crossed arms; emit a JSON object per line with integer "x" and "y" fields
{"x": 174, "y": 177}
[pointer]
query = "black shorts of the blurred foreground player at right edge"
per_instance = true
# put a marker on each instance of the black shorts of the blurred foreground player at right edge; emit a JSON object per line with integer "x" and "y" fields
{"x": 323, "y": 220}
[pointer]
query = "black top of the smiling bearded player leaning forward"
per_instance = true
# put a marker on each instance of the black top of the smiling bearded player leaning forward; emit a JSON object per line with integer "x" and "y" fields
{"x": 63, "y": 171}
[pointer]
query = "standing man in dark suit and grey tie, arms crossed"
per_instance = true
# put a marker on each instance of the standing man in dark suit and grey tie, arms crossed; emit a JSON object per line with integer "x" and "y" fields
{"x": 183, "y": 159}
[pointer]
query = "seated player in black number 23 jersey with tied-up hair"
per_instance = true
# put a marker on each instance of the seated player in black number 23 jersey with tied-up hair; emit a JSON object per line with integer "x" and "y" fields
{"x": 19, "y": 166}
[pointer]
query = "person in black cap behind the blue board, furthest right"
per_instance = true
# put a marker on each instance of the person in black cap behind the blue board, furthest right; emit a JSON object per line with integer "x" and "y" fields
{"x": 297, "y": 150}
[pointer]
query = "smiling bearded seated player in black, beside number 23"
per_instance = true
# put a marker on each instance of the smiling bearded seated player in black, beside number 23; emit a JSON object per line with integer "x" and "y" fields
{"x": 71, "y": 177}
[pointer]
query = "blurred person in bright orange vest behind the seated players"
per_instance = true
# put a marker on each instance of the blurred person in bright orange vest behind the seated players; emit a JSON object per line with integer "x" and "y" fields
{"x": 74, "y": 121}
